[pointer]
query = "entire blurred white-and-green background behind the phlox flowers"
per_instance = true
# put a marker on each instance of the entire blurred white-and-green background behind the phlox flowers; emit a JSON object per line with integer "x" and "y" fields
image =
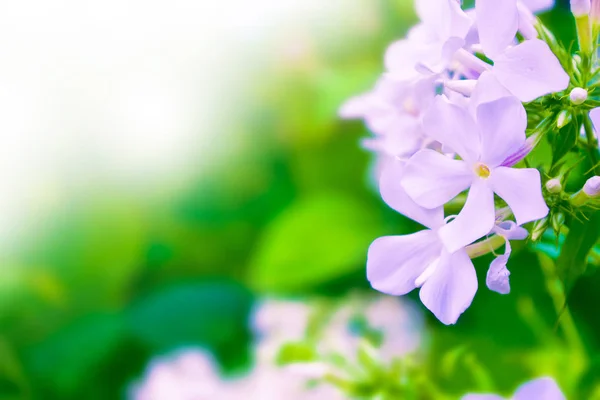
{"x": 164, "y": 165}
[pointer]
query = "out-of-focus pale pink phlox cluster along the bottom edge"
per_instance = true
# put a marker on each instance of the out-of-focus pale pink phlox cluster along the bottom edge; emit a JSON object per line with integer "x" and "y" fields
{"x": 193, "y": 374}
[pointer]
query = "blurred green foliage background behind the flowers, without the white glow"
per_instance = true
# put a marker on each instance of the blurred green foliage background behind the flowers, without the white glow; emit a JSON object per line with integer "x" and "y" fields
{"x": 112, "y": 277}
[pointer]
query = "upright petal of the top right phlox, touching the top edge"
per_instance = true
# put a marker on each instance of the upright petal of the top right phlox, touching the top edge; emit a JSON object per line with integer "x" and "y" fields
{"x": 497, "y": 23}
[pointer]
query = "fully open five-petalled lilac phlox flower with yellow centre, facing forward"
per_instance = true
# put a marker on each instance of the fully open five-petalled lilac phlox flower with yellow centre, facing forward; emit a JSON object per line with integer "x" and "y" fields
{"x": 483, "y": 141}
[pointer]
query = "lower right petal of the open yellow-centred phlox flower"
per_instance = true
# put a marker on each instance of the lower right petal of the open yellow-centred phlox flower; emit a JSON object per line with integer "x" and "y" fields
{"x": 522, "y": 191}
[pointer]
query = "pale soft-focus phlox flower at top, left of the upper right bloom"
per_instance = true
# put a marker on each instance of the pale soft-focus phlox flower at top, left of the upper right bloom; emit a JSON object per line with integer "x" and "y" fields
{"x": 430, "y": 45}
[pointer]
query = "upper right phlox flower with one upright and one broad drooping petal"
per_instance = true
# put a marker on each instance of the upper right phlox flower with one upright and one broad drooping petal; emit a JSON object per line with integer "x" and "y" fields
{"x": 529, "y": 69}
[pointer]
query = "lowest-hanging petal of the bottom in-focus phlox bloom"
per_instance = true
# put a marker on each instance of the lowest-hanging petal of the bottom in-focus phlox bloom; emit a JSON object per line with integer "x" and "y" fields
{"x": 451, "y": 288}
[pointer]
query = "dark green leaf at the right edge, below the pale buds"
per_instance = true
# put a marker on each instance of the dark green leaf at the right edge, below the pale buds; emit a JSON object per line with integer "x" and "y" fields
{"x": 572, "y": 261}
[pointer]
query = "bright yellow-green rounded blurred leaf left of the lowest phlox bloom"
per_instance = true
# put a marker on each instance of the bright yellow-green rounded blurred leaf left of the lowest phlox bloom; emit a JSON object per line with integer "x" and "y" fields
{"x": 316, "y": 239}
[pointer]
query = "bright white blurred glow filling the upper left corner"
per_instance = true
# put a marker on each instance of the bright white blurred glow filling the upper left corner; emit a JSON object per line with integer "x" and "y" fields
{"x": 130, "y": 92}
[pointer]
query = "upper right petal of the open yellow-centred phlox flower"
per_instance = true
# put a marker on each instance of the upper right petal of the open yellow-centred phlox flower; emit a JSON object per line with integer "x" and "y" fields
{"x": 502, "y": 124}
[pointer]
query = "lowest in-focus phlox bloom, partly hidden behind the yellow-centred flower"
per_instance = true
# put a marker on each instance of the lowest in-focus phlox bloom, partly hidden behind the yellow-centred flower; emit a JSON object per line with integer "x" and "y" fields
{"x": 398, "y": 264}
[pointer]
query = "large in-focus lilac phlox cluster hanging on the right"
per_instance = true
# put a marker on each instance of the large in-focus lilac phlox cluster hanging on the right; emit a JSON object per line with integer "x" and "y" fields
{"x": 448, "y": 119}
